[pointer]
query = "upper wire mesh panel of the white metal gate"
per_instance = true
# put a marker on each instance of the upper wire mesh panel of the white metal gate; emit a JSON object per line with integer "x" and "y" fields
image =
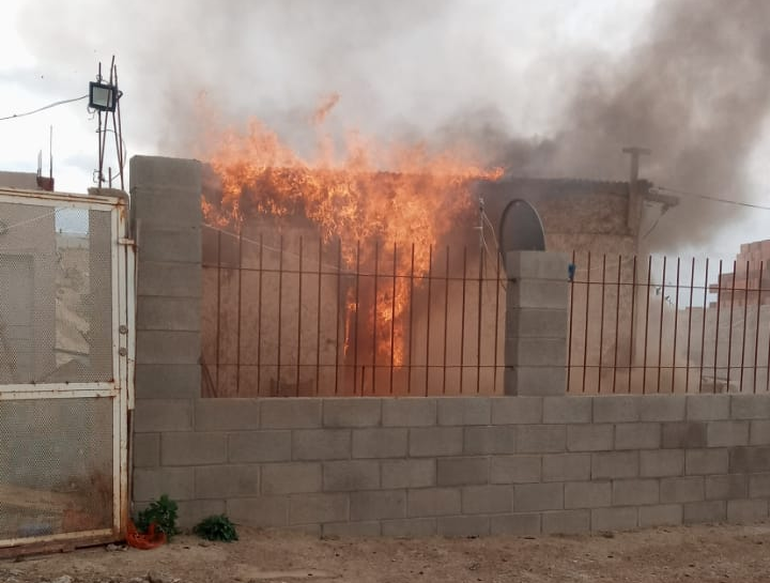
{"x": 55, "y": 294}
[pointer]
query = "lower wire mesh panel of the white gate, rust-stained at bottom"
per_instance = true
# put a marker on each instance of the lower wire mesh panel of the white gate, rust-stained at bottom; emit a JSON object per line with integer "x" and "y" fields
{"x": 56, "y": 466}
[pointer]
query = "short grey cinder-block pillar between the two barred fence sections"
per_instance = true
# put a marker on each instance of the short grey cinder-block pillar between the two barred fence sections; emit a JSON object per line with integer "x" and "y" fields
{"x": 537, "y": 311}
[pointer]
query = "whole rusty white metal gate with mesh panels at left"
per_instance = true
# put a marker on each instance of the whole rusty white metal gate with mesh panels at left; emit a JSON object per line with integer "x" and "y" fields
{"x": 66, "y": 368}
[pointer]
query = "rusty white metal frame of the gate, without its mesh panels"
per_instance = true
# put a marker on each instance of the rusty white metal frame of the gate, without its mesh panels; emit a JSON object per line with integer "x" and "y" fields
{"x": 120, "y": 390}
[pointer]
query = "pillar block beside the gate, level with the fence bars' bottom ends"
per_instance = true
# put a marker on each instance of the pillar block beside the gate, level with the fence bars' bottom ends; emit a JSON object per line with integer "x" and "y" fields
{"x": 167, "y": 381}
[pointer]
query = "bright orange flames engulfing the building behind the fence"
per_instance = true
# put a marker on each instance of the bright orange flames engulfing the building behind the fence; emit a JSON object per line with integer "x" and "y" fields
{"x": 374, "y": 194}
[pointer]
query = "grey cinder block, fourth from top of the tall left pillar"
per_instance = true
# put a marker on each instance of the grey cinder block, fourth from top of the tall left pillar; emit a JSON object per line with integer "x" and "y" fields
{"x": 168, "y": 279}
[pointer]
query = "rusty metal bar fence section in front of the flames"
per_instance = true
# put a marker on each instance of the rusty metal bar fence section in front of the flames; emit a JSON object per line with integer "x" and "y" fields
{"x": 292, "y": 315}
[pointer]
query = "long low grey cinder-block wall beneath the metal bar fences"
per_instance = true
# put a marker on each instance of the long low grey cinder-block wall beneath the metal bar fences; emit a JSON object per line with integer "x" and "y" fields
{"x": 464, "y": 466}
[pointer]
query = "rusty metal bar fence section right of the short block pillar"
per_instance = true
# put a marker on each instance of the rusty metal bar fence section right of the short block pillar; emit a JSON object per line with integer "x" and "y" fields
{"x": 662, "y": 325}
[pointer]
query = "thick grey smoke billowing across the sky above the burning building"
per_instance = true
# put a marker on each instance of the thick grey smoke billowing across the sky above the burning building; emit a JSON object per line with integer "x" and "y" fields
{"x": 694, "y": 86}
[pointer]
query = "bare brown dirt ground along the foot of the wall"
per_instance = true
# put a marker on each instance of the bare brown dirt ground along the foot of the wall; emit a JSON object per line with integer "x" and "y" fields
{"x": 702, "y": 553}
